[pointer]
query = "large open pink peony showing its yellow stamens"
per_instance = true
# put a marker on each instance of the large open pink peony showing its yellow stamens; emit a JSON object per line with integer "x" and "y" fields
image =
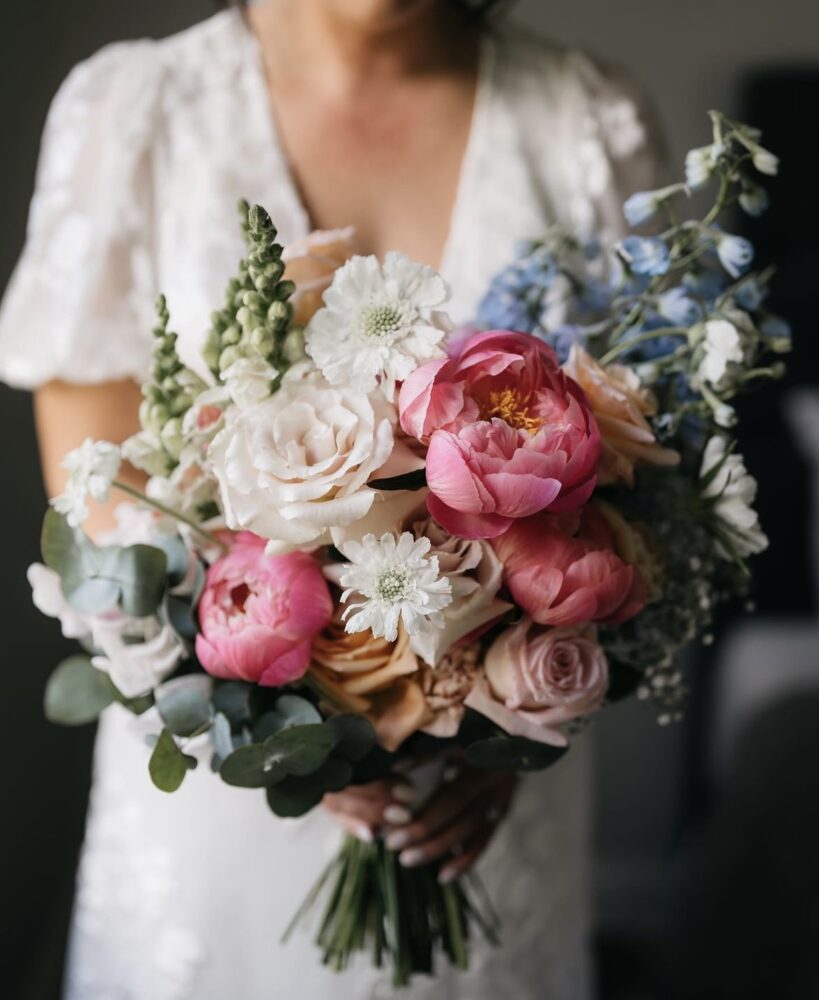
{"x": 509, "y": 434}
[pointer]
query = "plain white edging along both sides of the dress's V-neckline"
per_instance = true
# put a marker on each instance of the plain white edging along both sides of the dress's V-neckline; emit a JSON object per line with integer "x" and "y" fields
{"x": 463, "y": 196}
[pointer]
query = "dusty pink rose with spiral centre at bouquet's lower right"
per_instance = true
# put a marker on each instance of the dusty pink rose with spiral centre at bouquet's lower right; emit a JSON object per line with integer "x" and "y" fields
{"x": 537, "y": 679}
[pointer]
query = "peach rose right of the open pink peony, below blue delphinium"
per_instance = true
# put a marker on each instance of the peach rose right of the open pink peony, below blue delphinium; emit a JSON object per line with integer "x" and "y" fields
{"x": 620, "y": 404}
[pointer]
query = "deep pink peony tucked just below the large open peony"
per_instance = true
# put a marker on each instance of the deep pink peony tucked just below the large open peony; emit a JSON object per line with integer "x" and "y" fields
{"x": 562, "y": 577}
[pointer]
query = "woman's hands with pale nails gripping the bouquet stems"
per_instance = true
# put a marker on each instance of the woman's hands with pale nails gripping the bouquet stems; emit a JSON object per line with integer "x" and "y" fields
{"x": 457, "y": 823}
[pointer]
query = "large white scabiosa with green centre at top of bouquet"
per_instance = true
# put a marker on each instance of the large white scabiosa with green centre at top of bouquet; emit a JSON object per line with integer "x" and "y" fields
{"x": 379, "y": 323}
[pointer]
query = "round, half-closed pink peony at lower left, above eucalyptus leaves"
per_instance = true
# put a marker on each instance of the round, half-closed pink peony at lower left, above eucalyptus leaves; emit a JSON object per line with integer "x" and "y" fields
{"x": 259, "y": 614}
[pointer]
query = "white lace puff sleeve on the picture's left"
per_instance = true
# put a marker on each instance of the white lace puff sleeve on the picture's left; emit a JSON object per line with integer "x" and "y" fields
{"x": 78, "y": 306}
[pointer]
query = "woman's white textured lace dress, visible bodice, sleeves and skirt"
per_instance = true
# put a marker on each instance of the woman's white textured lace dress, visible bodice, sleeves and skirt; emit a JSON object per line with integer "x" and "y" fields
{"x": 147, "y": 149}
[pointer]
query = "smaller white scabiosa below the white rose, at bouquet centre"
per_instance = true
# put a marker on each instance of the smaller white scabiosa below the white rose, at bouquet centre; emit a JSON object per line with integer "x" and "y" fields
{"x": 397, "y": 580}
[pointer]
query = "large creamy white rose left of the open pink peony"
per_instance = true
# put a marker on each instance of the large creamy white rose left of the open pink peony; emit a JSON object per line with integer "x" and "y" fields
{"x": 297, "y": 464}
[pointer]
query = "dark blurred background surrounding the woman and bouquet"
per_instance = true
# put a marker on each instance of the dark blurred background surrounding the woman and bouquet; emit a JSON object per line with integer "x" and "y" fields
{"x": 707, "y": 836}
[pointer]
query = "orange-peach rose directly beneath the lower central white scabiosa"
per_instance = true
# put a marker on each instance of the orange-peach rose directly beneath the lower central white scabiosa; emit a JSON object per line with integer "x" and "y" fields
{"x": 357, "y": 672}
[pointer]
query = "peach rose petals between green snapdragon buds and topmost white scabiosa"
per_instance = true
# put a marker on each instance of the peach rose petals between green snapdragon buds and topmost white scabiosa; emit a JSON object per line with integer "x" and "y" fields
{"x": 311, "y": 264}
